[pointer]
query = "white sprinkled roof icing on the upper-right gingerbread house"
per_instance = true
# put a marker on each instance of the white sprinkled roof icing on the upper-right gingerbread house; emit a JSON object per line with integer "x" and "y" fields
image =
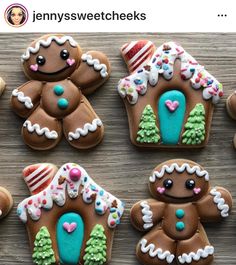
{"x": 162, "y": 63}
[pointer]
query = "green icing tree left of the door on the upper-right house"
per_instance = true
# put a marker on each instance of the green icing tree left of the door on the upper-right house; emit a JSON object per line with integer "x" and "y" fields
{"x": 148, "y": 131}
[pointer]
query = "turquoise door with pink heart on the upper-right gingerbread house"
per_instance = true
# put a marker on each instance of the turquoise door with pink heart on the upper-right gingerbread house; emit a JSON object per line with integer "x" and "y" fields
{"x": 171, "y": 112}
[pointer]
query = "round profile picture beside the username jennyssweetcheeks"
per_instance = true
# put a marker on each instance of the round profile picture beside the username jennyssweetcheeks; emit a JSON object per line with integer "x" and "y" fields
{"x": 16, "y": 15}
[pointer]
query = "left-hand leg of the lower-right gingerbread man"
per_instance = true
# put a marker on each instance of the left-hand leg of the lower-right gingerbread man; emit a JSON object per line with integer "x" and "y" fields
{"x": 156, "y": 248}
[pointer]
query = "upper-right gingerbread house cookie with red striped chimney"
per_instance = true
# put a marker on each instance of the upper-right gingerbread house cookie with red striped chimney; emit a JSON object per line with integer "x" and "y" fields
{"x": 169, "y": 96}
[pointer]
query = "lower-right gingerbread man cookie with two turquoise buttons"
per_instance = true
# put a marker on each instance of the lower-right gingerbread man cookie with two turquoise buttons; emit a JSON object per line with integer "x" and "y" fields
{"x": 182, "y": 200}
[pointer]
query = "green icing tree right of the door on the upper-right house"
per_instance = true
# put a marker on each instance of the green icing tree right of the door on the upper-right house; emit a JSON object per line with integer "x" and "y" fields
{"x": 195, "y": 126}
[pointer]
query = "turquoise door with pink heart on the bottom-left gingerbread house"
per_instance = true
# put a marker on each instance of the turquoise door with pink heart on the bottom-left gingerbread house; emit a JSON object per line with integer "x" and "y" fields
{"x": 70, "y": 235}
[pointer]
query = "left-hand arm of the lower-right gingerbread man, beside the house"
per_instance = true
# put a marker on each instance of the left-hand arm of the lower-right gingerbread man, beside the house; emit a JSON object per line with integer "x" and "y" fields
{"x": 146, "y": 213}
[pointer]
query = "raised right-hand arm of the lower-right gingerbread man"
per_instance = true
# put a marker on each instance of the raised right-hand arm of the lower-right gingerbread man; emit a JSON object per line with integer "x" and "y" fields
{"x": 215, "y": 205}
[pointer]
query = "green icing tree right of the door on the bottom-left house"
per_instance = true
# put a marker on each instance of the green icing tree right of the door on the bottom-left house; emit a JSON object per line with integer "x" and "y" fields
{"x": 95, "y": 251}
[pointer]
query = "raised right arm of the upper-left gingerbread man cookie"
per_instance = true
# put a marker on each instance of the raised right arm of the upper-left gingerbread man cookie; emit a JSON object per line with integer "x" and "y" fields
{"x": 92, "y": 72}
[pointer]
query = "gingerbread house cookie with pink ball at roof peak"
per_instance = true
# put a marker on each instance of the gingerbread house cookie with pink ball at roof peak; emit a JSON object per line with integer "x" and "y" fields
{"x": 70, "y": 219}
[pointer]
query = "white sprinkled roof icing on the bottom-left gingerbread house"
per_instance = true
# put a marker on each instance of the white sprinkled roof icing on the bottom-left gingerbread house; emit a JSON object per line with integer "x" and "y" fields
{"x": 84, "y": 186}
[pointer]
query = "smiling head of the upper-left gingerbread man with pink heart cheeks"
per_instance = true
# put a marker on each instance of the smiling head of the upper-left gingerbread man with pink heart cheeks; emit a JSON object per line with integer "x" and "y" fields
{"x": 51, "y": 58}
